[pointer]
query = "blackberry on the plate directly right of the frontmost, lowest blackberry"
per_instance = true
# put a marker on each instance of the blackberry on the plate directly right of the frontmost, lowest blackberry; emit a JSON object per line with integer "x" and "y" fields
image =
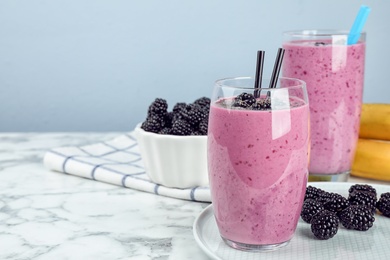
{"x": 358, "y": 217}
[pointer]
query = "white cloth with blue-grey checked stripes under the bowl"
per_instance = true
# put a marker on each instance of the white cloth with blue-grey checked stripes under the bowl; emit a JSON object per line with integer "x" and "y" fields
{"x": 118, "y": 162}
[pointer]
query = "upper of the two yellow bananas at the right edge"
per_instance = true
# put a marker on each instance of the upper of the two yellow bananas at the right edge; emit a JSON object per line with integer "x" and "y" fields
{"x": 375, "y": 121}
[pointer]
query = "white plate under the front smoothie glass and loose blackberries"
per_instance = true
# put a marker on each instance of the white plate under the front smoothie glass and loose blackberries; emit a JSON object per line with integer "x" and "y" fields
{"x": 346, "y": 244}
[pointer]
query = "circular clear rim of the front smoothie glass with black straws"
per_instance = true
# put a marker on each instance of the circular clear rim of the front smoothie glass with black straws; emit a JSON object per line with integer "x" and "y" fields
{"x": 220, "y": 83}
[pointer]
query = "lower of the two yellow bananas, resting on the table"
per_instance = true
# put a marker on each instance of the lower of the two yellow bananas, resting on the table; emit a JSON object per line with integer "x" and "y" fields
{"x": 372, "y": 160}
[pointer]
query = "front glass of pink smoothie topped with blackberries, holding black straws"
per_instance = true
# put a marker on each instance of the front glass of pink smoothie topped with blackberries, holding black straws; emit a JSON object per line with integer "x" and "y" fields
{"x": 258, "y": 160}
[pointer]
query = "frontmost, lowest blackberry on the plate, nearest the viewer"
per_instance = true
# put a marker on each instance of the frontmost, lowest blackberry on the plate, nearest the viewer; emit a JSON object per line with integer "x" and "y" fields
{"x": 325, "y": 225}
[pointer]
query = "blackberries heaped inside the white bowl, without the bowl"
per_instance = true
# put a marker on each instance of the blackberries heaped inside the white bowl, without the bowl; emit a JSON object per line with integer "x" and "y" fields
{"x": 184, "y": 119}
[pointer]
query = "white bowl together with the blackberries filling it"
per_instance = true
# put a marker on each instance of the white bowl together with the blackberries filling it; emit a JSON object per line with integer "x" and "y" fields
{"x": 173, "y": 144}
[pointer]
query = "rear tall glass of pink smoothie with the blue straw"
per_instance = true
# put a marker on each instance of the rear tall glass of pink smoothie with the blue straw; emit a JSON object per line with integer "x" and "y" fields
{"x": 334, "y": 74}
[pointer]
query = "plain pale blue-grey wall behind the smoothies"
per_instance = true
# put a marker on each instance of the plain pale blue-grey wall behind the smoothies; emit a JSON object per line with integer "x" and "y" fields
{"x": 93, "y": 65}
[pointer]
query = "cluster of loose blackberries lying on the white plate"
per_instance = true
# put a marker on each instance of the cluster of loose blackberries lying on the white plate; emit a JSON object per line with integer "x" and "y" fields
{"x": 325, "y": 210}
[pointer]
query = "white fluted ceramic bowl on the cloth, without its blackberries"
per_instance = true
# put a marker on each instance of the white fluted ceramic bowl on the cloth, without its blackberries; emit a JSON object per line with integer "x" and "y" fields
{"x": 174, "y": 161}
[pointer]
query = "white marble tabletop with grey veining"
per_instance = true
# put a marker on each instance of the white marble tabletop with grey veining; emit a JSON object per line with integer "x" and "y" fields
{"x": 49, "y": 215}
